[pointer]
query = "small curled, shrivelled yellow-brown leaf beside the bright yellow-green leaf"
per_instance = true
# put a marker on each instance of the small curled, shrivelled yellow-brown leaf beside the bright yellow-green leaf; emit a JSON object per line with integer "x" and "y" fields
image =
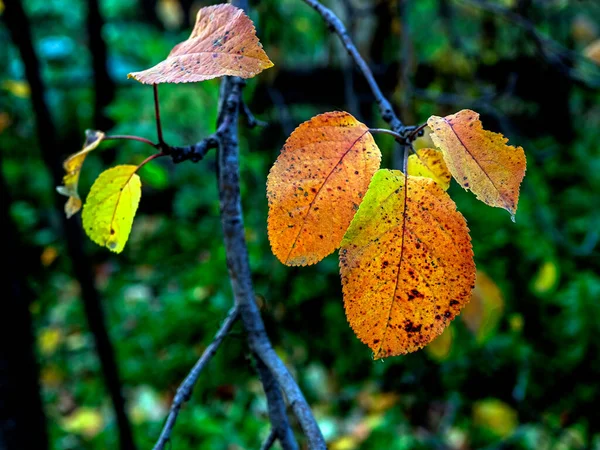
{"x": 72, "y": 166}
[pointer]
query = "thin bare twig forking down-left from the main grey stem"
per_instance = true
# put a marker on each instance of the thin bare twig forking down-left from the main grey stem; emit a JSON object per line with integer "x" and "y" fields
{"x": 185, "y": 389}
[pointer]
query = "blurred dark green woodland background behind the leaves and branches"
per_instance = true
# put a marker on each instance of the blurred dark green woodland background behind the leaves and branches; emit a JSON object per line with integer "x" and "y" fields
{"x": 520, "y": 369}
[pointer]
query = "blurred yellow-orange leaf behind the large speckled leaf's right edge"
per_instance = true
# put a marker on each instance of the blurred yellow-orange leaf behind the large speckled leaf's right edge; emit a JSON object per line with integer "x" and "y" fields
{"x": 484, "y": 311}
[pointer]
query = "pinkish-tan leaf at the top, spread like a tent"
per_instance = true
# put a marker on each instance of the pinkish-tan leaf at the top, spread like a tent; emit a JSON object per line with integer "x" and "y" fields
{"x": 223, "y": 42}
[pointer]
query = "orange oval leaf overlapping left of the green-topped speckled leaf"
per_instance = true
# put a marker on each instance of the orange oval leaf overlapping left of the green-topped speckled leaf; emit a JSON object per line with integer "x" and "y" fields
{"x": 315, "y": 186}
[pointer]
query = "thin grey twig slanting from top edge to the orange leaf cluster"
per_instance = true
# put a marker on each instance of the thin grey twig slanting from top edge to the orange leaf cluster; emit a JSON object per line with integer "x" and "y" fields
{"x": 336, "y": 25}
